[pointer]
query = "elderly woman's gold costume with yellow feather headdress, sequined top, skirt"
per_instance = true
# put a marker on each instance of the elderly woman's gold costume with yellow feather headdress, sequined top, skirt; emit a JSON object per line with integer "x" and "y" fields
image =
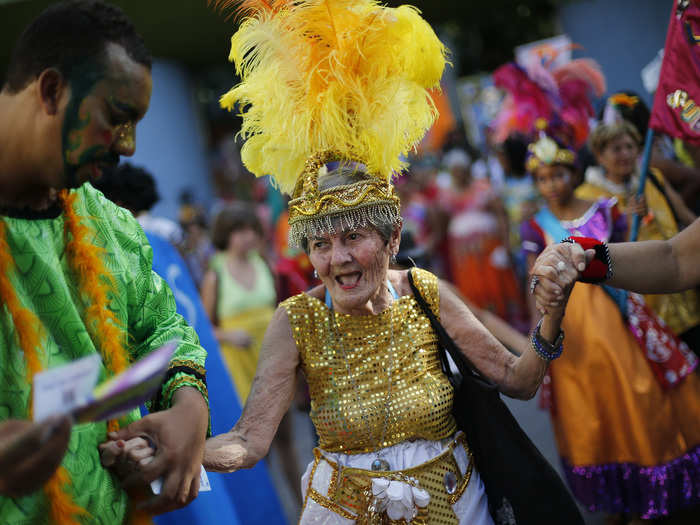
{"x": 344, "y": 83}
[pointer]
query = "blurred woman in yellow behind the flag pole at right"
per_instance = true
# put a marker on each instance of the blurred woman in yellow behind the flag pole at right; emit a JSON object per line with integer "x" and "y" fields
{"x": 616, "y": 147}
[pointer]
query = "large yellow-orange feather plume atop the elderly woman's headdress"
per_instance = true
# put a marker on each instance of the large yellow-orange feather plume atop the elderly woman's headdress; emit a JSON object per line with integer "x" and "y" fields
{"x": 348, "y": 76}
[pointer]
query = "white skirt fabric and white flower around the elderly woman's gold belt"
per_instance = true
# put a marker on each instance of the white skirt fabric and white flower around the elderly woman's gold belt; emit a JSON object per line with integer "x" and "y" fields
{"x": 471, "y": 508}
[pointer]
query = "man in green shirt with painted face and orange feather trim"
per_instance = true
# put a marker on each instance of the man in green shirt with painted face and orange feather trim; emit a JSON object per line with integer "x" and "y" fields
{"x": 76, "y": 278}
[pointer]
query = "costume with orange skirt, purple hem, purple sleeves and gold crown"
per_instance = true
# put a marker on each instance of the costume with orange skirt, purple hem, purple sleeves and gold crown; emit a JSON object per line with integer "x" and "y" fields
{"x": 629, "y": 443}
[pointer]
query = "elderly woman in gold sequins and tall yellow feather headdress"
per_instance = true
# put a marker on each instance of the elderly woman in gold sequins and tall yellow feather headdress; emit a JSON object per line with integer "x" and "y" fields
{"x": 333, "y": 94}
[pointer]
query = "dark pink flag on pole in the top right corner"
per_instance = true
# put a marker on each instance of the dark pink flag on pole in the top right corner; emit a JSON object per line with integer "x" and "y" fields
{"x": 676, "y": 109}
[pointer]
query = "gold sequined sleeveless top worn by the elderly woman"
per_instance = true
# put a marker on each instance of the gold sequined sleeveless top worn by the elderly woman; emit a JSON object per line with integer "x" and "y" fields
{"x": 349, "y": 360}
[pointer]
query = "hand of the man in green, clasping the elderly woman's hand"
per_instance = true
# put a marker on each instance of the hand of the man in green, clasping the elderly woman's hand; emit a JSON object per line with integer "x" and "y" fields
{"x": 178, "y": 435}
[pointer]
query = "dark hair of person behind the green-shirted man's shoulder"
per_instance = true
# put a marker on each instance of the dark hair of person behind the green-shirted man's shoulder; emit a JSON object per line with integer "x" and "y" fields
{"x": 130, "y": 186}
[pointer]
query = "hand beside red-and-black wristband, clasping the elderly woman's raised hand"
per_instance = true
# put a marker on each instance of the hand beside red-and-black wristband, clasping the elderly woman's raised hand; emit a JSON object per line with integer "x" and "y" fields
{"x": 555, "y": 272}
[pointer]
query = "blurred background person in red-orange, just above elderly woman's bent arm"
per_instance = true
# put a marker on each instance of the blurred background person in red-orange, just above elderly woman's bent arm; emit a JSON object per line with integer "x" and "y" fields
{"x": 477, "y": 244}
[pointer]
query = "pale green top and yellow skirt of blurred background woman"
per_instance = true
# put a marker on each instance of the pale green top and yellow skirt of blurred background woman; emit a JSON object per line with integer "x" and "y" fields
{"x": 250, "y": 310}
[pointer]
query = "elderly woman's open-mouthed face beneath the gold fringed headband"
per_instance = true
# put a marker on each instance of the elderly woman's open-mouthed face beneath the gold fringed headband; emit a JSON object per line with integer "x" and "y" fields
{"x": 353, "y": 265}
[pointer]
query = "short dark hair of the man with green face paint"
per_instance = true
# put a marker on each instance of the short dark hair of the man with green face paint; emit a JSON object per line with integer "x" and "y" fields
{"x": 66, "y": 36}
